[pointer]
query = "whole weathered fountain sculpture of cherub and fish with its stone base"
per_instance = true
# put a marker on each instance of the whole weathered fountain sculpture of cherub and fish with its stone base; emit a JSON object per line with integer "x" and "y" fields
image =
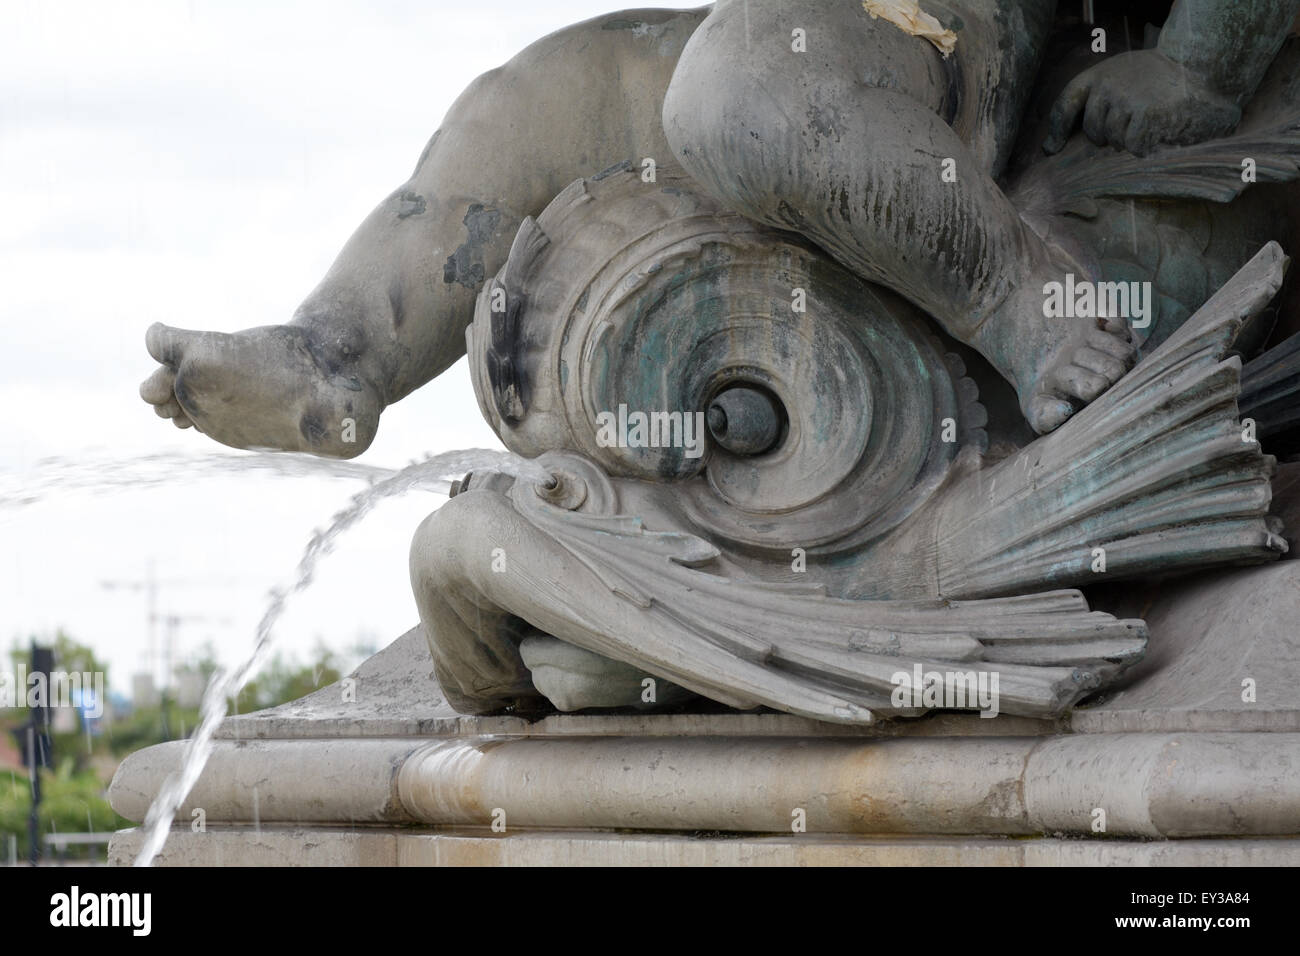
{"x": 865, "y": 387}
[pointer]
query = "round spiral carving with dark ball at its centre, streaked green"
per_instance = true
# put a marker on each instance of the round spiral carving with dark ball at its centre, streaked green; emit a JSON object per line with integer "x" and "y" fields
{"x": 830, "y": 409}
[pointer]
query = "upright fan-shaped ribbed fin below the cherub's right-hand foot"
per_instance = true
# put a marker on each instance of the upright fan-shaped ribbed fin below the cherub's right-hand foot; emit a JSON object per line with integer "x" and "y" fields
{"x": 1155, "y": 477}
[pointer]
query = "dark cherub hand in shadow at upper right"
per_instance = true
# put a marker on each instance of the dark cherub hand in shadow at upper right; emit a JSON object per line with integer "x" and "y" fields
{"x": 1142, "y": 101}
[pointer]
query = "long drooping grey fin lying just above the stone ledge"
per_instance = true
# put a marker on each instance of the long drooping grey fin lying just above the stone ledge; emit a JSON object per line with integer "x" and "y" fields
{"x": 829, "y": 659}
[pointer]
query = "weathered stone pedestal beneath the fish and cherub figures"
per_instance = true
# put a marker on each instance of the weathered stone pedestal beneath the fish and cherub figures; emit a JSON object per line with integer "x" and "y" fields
{"x": 1181, "y": 767}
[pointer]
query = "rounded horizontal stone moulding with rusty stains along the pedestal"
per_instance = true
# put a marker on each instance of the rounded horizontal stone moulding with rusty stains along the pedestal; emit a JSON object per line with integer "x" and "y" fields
{"x": 1146, "y": 785}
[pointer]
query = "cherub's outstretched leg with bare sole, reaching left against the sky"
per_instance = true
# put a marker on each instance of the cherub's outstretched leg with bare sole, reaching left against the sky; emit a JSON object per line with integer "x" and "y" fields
{"x": 392, "y": 312}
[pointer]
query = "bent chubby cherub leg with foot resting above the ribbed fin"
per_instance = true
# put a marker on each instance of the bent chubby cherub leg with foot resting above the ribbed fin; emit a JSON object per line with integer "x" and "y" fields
{"x": 847, "y": 145}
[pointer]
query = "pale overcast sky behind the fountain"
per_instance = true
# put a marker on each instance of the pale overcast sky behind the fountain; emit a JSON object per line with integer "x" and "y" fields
{"x": 202, "y": 165}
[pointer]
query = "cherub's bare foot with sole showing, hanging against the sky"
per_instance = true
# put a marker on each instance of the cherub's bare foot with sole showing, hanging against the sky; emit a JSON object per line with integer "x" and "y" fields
{"x": 265, "y": 388}
